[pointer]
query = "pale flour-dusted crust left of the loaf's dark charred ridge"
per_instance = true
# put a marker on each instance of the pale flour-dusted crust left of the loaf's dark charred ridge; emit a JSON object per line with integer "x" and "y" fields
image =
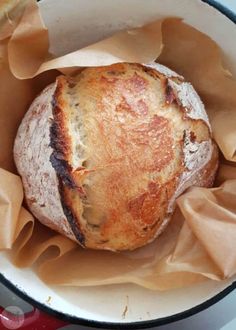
{"x": 32, "y": 153}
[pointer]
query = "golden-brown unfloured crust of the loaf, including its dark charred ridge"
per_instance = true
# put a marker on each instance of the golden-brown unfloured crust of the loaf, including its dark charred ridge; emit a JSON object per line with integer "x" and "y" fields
{"x": 134, "y": 165}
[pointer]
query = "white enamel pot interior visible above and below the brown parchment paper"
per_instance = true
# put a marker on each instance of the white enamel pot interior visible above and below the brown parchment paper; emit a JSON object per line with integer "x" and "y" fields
{"x": 73, "y": 24}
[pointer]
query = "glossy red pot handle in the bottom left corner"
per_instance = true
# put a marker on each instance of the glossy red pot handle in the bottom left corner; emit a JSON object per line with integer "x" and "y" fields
{"x": 35, "y": 319}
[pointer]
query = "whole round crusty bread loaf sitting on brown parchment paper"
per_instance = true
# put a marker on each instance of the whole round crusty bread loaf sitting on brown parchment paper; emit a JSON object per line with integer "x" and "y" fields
{"x": 104, "y": 154}
